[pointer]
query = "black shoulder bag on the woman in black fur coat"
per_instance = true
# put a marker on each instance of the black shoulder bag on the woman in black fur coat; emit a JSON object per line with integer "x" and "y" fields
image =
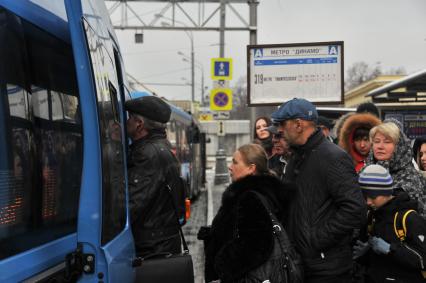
{"x": 284, "y": 264}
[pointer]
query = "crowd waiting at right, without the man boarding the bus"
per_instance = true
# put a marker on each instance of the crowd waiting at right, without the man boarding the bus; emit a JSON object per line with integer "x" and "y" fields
{"x": 353, "y": 206}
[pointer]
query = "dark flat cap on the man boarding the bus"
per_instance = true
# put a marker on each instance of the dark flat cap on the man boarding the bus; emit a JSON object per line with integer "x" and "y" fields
{"x": 150, "y": 107}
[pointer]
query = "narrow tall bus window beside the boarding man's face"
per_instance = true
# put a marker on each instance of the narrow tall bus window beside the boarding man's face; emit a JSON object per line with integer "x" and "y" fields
{"x": 113, "y": 186}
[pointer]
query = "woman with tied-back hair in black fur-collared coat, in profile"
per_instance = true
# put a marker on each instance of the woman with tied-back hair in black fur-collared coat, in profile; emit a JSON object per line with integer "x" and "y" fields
{"x": 240, "y": 238}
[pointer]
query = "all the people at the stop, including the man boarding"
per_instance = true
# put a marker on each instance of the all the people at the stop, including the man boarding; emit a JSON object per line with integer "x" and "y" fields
{"x": 346, "y": 209}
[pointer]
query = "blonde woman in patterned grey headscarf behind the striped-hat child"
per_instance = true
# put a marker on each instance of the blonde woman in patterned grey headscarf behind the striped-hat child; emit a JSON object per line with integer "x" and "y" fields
{"x": 391, "y": 149}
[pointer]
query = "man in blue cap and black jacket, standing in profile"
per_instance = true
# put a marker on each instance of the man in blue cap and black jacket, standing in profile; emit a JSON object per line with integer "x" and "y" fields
{"x": 328, "y": 204}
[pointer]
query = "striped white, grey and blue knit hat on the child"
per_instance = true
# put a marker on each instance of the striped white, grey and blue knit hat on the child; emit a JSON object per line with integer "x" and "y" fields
{"x": 375, "y": 181}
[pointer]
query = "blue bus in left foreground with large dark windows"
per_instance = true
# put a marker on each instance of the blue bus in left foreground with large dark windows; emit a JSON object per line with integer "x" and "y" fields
{"x": 63, "y": 179}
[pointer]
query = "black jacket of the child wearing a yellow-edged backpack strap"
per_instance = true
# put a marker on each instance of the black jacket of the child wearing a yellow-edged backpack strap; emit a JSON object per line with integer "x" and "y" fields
{"x": 405, "y": 260}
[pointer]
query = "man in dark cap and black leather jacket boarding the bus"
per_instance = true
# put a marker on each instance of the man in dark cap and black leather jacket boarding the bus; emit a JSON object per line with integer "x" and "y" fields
{"x": 151, "y": 167}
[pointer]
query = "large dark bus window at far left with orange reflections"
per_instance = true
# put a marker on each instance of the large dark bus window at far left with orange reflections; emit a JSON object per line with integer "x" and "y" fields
{"x": 41, "y": 157}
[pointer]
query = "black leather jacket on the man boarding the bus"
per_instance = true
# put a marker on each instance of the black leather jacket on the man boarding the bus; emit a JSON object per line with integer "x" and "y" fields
{"x": 152, "y": 166}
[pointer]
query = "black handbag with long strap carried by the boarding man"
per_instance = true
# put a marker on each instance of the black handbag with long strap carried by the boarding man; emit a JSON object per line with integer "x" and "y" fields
{"x": 166, "y": 267}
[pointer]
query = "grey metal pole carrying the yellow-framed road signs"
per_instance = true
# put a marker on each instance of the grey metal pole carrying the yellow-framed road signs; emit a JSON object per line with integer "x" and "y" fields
{"x": 221, "y": 170}
